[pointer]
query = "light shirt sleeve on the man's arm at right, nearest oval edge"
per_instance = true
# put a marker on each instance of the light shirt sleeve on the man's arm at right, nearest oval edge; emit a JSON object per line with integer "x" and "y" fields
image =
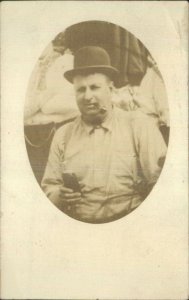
{"x": 151, "y": 147}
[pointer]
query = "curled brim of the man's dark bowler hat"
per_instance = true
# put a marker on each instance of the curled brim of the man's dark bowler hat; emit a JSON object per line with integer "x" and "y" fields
{"x": 107, "y": 70}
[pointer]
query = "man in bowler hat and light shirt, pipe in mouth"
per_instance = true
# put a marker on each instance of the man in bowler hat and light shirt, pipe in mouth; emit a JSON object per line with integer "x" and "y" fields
{"x": 115, "y": 155}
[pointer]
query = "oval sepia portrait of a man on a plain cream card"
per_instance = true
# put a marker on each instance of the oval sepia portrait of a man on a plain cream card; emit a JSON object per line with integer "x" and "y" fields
{"x": 96, "y": 121}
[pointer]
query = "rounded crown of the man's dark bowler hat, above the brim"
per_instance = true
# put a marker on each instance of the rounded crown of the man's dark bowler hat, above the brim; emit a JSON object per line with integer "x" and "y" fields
{"x": 91, "y": 56}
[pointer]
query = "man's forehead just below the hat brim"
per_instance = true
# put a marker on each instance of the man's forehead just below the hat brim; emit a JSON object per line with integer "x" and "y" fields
{"x": 96, "y": 78}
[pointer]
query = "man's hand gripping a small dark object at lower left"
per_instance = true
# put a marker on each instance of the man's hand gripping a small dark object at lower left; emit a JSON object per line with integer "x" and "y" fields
{"x": 65, "y": 198}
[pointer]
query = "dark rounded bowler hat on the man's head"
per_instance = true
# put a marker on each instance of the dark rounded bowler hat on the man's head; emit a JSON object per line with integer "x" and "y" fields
{"x": 91, "y": 59}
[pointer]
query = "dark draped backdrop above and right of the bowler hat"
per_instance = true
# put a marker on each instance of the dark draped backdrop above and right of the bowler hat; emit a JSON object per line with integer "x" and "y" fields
{"x": 127, "y": 53}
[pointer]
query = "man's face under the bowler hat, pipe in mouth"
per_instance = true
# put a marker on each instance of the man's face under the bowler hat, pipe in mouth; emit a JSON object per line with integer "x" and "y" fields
{"x": 93, "y": 94}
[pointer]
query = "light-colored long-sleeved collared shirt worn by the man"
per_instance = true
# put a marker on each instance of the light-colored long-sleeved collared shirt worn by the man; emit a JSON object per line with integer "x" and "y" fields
{"x": 111, "y": 163}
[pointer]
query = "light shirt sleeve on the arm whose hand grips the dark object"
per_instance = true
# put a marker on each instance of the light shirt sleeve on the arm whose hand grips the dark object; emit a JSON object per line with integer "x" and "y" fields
{"x": 52, "y": 179}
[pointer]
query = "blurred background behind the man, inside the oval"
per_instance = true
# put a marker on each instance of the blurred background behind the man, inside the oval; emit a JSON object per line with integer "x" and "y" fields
{"x": 50, "y": 101}
